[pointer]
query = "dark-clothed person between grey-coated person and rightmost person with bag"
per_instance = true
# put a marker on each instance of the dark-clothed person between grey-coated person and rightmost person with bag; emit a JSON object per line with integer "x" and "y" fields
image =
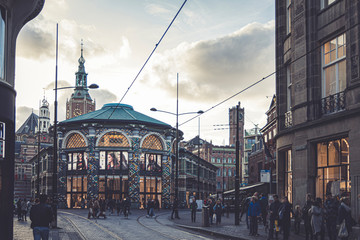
{"x": 331, "y": 207}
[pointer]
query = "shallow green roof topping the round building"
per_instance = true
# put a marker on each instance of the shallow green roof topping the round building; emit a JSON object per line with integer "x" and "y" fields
{"x": 116, "y": 112}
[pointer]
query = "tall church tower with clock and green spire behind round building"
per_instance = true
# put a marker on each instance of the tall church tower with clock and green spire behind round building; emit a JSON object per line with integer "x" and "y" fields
{"x": 80, "y": 101}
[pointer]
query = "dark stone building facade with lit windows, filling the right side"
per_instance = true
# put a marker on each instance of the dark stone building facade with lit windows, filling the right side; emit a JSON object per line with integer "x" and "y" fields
{"x": 318, "y": 89}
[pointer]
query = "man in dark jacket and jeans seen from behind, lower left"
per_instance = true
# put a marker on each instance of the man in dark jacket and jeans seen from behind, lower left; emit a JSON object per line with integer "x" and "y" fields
{"x": 41, "y": 216}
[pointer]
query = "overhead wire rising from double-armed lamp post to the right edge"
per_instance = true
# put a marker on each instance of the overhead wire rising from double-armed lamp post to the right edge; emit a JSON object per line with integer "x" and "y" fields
{"x": 264, "y": 78}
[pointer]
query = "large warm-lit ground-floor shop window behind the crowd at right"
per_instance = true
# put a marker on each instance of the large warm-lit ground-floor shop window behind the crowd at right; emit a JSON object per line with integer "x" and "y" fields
{"x": 333, "y": 172}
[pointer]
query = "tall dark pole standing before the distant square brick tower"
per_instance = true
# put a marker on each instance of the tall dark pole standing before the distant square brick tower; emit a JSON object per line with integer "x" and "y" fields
{"x": 237, "y": 190}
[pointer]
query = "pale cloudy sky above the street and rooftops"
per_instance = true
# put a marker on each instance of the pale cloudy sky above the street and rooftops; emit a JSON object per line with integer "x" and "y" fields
{"x": 218, "y": 48}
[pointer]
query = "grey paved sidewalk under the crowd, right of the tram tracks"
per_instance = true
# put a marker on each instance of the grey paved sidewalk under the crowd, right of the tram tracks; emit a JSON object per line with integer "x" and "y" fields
{"x": 227, "y": 228}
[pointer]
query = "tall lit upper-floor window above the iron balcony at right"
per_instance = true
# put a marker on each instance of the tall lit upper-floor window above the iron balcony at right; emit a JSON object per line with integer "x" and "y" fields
{"x": 334, "y": 66}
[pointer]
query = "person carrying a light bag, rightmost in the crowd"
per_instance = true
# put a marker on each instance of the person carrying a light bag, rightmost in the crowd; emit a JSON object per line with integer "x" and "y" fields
{"x": 344, "y": 219}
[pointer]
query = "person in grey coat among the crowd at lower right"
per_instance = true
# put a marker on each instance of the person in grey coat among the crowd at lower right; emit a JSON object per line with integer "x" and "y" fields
{"x": 317, "y": 219}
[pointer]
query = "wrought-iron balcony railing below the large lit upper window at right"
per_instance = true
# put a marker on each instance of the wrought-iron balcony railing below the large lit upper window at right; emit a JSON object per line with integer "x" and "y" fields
{"x": 333, "y": 103}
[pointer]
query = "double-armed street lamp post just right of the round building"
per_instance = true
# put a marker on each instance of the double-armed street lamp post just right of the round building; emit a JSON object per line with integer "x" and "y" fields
{"x": 177, "y": 114}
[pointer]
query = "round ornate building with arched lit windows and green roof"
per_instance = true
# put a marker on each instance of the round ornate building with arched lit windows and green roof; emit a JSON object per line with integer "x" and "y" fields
{"x": 128, "y": 155}
